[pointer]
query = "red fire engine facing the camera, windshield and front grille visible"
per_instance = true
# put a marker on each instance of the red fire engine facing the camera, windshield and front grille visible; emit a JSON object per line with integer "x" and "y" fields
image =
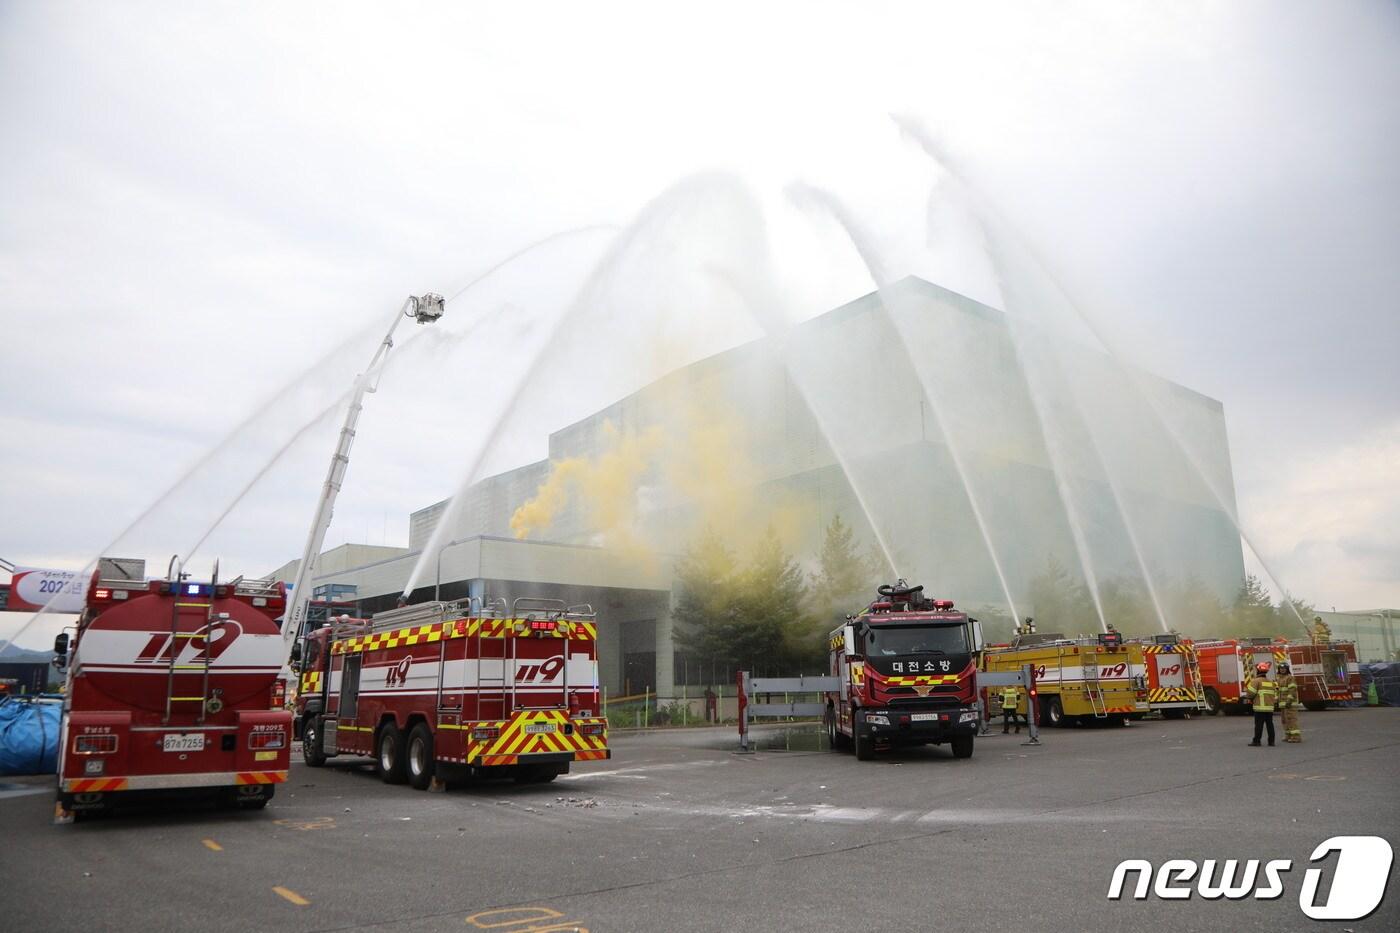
{"x": 906, "y": 676}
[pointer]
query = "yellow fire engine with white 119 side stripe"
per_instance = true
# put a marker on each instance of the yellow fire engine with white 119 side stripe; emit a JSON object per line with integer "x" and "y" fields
{"x": 1079, "y": 680}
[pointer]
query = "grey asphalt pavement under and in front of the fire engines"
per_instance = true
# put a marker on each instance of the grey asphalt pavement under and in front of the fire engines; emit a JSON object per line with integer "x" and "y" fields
{"x": 680, "y": 833}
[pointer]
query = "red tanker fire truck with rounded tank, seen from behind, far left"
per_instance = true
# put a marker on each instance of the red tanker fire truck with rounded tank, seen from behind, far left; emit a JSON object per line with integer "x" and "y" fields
{"x": 170, "y": 689}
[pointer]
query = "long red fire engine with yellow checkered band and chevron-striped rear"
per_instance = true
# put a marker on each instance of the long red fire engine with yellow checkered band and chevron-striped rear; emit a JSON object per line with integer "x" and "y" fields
{"x": 444, "y": 690}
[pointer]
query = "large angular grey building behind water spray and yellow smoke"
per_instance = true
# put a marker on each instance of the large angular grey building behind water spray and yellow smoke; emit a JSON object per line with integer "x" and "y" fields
{"x": 969, "y": 449}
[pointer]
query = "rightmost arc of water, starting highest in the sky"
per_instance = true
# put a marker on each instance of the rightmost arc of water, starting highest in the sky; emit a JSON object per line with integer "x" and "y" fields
{"x": 937, "y": 153}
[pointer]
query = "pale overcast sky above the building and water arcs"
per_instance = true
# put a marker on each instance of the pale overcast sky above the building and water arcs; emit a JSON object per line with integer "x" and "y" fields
{"x": 202, "y": 201}
